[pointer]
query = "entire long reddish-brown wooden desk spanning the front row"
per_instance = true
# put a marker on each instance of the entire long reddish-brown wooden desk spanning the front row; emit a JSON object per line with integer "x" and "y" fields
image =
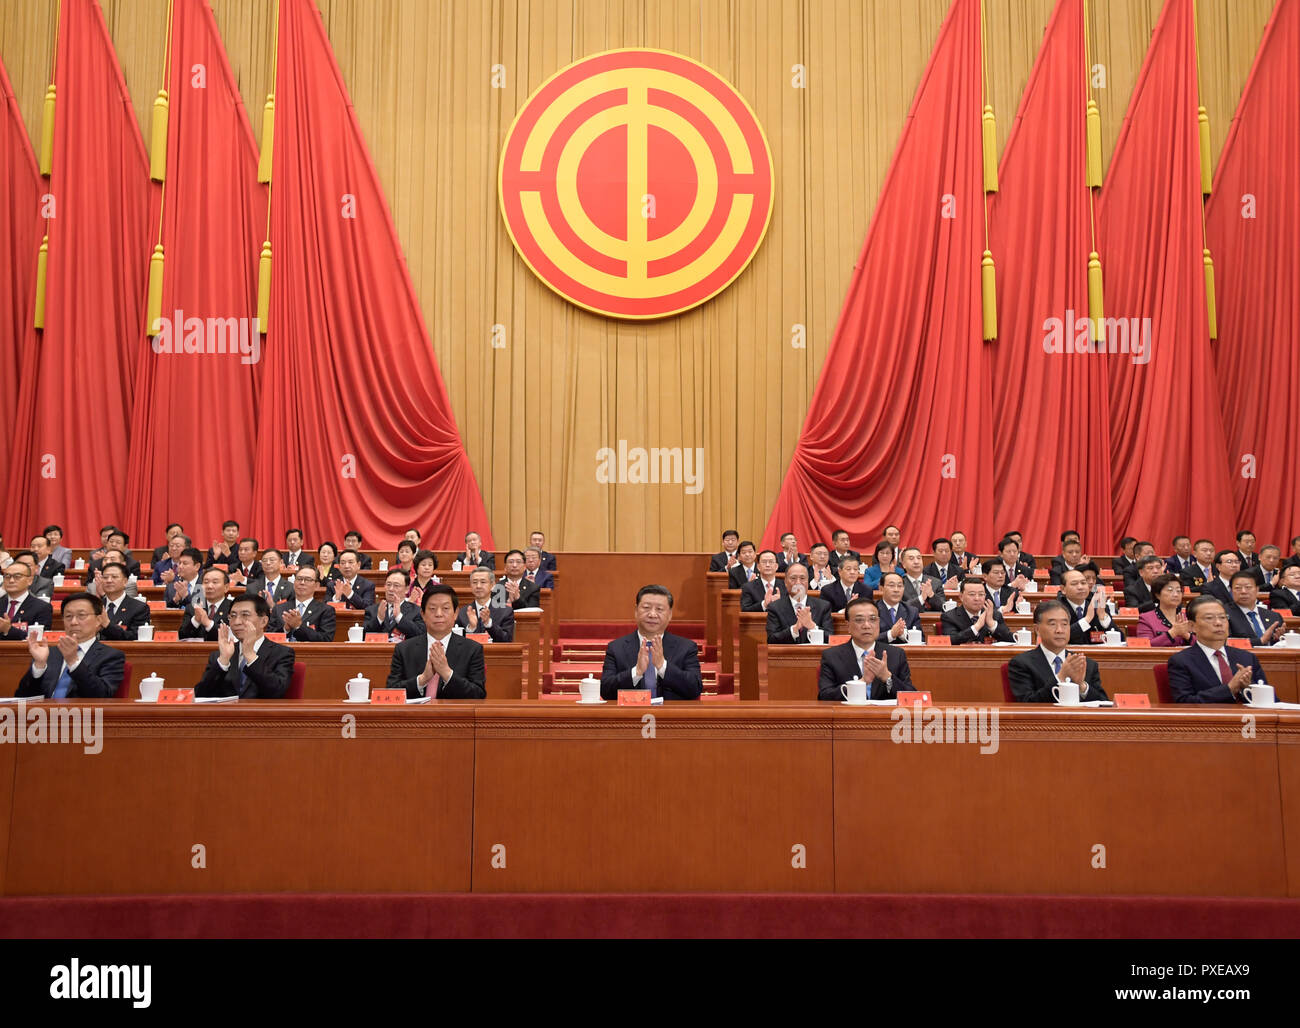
{"x": 548, "y": 797}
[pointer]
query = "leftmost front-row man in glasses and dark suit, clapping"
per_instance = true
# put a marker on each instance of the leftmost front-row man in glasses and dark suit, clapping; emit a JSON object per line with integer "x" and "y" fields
{"x": 79, "y": 667}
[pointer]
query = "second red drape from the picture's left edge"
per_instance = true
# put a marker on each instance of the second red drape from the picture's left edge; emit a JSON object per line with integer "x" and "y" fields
{"x": 76, "y": 445}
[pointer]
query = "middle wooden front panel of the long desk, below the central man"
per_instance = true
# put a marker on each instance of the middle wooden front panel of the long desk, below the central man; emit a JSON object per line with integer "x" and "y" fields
{"x": 716, "y": 801}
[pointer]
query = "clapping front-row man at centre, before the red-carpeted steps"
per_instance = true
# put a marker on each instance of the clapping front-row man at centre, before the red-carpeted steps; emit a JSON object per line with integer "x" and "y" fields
{"x": 653, "y": 658}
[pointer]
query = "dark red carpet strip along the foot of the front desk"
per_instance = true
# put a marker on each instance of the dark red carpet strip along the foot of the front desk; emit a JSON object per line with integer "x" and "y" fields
{"x": 647, "y": 917}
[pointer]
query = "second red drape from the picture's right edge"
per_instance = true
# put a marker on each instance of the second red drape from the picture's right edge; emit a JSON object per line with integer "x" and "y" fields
{"x": 1168, "y": 449}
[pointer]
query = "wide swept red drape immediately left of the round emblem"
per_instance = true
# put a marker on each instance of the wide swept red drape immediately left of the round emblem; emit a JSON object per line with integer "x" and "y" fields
{"x": 366, "y": 436}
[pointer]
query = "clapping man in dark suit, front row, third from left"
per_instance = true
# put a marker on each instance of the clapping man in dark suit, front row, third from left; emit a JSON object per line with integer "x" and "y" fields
{"x": 440, "y": 663}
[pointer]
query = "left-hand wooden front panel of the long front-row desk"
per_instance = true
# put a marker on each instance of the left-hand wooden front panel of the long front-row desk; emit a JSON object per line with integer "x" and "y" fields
{"x": 281, "y": 801}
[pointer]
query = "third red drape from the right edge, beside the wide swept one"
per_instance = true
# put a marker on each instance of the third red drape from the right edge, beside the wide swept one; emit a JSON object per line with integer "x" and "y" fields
{"x": 1051, "y": 432}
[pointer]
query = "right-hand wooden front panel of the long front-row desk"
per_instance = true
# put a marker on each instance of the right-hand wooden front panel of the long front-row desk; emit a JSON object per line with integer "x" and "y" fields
{"x": 1182, "y": 804}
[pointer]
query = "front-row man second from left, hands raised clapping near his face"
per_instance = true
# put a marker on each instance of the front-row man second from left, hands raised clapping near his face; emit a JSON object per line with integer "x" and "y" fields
{"x": 248, "y": 665}
